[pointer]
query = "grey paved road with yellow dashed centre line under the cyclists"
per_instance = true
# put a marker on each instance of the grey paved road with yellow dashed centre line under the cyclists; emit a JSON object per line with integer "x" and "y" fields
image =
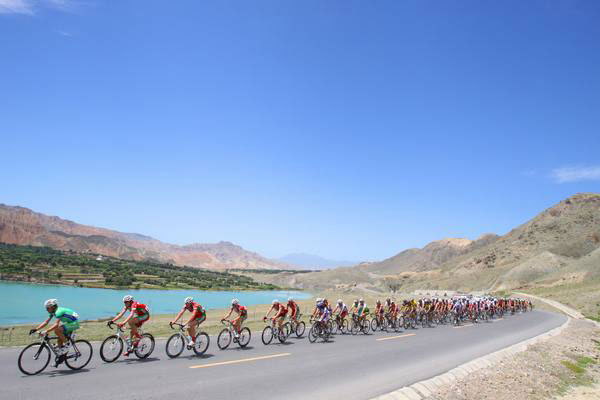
{"x": 351, "y": 367}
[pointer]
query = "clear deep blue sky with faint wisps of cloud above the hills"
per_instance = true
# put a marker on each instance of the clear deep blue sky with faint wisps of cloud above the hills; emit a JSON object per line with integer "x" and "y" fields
{"x": 347, "y": 129}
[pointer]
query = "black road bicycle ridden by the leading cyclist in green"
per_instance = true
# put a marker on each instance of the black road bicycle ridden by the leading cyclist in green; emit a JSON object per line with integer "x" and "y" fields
{"x": 36, "y": 357}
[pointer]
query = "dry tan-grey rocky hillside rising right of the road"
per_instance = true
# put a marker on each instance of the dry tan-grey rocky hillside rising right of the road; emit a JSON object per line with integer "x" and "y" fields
{"x": 559, "y": 246}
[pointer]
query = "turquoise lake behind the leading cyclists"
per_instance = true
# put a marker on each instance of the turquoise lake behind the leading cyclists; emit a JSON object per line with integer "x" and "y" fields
{"x": 24, "y": 303}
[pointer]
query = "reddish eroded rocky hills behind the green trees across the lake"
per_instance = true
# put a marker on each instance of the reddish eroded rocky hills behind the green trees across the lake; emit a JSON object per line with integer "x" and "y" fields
{"x": 22, "y": 226}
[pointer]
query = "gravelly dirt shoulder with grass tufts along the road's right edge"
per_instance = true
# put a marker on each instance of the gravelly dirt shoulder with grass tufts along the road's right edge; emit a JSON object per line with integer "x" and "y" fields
{"x": 562, "y": 367}
